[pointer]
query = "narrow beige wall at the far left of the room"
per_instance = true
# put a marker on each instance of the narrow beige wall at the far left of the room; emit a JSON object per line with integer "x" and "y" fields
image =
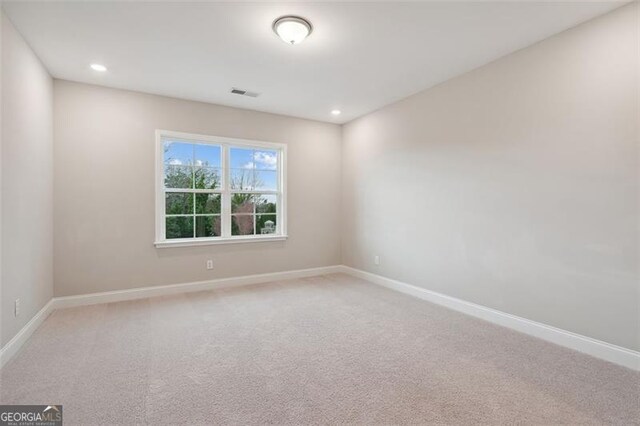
{"x": 27, "y": 182}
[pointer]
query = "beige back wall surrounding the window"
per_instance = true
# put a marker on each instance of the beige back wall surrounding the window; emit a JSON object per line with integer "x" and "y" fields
{"x": 104, "y": 191}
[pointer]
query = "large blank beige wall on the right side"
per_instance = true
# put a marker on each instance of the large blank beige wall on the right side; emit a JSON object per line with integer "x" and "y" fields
{"x": 514, "y": 186}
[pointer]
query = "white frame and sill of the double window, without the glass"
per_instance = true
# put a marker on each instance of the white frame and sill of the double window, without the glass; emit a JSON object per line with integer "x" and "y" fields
{"x": 225, "y": 215}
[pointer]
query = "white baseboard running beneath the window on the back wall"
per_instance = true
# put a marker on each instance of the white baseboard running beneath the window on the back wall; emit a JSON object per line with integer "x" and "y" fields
{"x": 164, "y": 290}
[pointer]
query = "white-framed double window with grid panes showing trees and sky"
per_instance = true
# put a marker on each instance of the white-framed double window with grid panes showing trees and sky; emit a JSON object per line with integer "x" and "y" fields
{"x": 218, "y": 190}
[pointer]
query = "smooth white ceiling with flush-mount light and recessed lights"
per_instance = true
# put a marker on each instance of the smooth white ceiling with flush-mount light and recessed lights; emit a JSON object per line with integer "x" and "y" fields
{"x": 360, "y": 56}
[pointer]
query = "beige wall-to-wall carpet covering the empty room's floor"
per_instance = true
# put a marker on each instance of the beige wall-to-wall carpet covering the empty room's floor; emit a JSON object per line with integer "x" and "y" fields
{"x": 322, "y": 350}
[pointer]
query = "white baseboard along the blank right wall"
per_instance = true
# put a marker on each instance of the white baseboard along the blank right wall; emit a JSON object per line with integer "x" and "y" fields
{"x": 599, "y": 349}
